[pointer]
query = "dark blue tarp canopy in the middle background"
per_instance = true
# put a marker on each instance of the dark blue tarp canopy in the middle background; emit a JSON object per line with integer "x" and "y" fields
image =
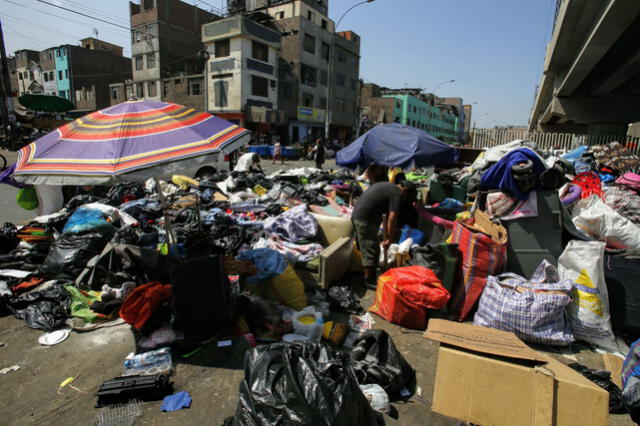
{"x": 396, "y": 145}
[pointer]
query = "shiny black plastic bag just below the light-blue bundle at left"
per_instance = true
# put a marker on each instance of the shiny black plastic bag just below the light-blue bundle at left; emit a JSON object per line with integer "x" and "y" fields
{"x": 69, "y": 254}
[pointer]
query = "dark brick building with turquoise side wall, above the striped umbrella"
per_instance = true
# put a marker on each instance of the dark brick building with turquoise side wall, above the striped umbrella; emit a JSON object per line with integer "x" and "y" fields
{"x": 83, "y": 75}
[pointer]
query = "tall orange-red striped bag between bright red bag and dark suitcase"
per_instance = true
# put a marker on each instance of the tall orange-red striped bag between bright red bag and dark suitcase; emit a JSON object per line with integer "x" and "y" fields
{"x": 481, "y": 257}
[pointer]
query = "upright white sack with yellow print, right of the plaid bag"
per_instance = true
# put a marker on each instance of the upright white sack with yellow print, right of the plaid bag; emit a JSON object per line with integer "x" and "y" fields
{"x": 583, "y": 263}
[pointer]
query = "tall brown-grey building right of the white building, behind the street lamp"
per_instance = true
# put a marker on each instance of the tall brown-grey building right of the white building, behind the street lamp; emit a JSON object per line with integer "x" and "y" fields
{"x": 308, "y": 42}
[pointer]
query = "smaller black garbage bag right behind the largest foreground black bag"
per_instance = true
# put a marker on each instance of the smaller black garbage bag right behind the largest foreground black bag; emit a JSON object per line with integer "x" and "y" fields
{"x": 375, "y": 360}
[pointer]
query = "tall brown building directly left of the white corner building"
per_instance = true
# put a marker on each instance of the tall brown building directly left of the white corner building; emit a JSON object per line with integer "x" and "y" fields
{"x": 168, "y": 53}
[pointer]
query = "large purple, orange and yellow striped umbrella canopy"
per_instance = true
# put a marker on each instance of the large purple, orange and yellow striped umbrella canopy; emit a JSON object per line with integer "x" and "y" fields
{"x": 130, "y": 141}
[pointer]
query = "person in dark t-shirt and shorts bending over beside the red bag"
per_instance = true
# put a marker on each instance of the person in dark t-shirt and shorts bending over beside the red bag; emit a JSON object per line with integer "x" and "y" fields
{"x": 380, "y": 202}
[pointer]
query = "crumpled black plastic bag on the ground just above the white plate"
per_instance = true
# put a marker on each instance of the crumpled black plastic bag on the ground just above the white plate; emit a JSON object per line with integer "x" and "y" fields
{"x": 42, "y": 310}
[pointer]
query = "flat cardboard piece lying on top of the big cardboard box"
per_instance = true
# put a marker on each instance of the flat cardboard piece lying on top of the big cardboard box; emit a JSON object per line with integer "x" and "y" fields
{"x": 481, "y": 339}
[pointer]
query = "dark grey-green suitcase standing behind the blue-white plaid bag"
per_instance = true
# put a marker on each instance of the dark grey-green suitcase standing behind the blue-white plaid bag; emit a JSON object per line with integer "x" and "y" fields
{"x": 533, "y": 239}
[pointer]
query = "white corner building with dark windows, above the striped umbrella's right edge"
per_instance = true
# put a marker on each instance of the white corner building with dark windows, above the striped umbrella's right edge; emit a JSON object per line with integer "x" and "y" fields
{"x": 243, "y": 69}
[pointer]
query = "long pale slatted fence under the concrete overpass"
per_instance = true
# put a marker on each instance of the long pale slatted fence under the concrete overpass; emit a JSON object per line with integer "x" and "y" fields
{"x": 486, "y": 138}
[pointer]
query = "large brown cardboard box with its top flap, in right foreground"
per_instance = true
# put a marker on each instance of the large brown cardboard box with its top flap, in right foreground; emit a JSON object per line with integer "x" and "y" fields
{"x": 490, "y": 377}
